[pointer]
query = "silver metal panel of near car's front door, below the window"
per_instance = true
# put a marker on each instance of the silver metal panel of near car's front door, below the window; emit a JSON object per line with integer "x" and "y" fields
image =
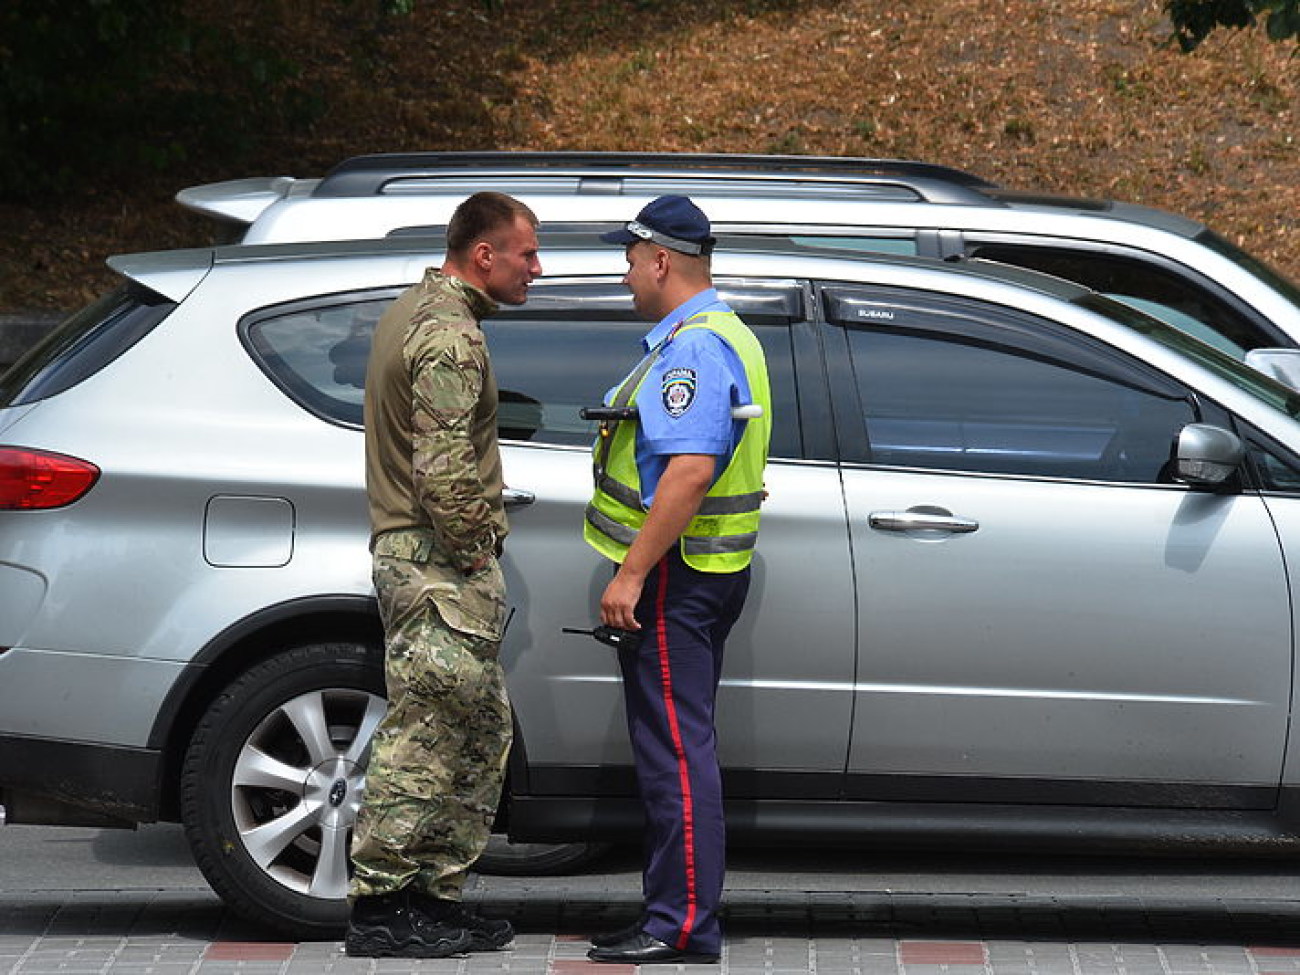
{"x": 1120, "y": 660}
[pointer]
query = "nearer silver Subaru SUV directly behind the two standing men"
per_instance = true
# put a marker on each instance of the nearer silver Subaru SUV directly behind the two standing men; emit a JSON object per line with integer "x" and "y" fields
{"x": 1028, "y": 569}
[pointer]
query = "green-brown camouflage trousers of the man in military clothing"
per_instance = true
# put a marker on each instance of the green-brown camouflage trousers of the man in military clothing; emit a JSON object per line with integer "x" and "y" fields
{"x": 439, "y": 757}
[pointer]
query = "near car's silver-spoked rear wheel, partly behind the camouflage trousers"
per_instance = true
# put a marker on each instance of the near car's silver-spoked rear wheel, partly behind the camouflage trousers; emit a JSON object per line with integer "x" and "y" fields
{"x": 272, "y": 783}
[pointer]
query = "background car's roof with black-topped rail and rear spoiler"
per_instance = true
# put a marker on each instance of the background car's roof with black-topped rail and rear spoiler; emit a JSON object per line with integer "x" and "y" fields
{"x": 375, "y": 196}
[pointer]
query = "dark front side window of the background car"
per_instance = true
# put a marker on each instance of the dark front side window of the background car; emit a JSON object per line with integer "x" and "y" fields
{"x": 1178, "y": 300}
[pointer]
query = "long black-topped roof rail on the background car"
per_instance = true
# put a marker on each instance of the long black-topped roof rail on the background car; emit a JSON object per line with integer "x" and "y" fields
{"x": 609, "y": 174}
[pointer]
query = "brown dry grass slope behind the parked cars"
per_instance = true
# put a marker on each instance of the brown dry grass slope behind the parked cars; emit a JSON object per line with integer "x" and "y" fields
{"x": 1084, "y": 97}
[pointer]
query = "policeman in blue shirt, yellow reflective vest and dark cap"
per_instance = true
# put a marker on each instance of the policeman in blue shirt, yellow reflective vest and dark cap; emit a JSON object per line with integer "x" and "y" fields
{"x": 677, "y": 506}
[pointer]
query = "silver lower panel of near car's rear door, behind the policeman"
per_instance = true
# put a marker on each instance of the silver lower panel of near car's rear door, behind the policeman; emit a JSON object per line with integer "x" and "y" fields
{"x": 566, "y": 688}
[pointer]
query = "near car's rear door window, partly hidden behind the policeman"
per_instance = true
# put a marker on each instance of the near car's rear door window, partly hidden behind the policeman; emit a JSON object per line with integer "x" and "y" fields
{"x": 570, "y": 344}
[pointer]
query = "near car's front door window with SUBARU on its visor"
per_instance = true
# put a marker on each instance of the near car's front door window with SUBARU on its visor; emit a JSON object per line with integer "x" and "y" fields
{"x": 956, "y": 388}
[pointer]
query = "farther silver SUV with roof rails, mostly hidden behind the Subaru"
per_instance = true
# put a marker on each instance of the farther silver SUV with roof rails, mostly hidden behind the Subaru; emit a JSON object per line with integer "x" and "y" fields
{"x": 1171, "y": 267}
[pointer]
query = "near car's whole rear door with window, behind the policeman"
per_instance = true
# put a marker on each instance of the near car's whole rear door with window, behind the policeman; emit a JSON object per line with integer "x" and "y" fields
{"x": 786, "y": 701}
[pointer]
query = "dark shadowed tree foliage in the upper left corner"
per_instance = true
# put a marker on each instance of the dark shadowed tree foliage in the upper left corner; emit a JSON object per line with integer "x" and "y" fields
{"x": 99, "y": 93}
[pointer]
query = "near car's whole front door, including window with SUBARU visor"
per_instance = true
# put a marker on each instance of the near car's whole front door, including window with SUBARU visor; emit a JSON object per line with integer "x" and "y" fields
{"x": 1043, "y": 616}
